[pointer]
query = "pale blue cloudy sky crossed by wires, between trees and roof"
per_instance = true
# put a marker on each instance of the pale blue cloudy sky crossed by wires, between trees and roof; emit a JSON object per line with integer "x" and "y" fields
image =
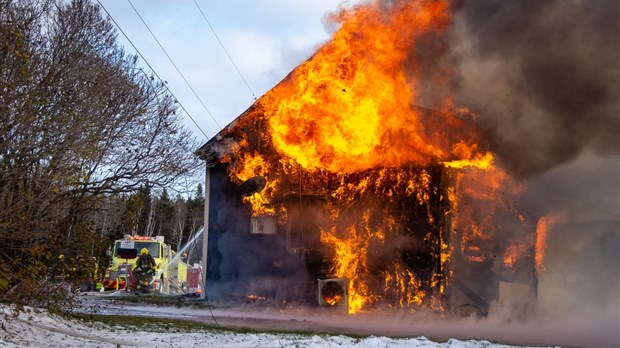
{"x": 266, "y": 40}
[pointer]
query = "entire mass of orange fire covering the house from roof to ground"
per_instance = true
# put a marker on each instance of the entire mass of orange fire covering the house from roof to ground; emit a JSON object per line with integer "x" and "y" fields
{"x": 346, "y": 119}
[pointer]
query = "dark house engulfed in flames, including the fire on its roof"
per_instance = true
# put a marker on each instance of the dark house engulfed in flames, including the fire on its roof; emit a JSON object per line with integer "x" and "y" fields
{"x": 333, "y": 188}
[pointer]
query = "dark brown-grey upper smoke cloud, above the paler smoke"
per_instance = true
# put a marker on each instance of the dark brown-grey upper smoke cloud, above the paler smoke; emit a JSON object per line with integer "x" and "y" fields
{"x": 543, "y": 76}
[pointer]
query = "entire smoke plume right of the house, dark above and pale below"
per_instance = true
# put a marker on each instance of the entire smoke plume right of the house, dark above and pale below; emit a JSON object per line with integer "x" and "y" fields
{"x": 543, "y": 77}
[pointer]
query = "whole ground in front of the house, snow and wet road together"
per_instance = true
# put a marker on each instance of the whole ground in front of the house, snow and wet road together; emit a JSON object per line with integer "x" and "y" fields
{"x": 139, "y": 322}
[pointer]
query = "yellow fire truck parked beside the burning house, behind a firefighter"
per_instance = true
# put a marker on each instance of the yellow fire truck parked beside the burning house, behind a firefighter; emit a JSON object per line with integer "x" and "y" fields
{"x": 171, "y": 274}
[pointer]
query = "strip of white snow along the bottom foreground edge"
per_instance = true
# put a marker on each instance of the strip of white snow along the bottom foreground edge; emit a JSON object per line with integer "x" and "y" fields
{"x": 38, "y": 328}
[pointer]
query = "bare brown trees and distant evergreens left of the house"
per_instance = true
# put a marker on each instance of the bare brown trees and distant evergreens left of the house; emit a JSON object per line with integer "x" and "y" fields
{"x": 86, "y": 137}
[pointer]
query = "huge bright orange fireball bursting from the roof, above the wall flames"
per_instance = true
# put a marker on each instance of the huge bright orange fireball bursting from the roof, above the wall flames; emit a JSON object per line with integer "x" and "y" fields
{"x": 348, "y": 108}
